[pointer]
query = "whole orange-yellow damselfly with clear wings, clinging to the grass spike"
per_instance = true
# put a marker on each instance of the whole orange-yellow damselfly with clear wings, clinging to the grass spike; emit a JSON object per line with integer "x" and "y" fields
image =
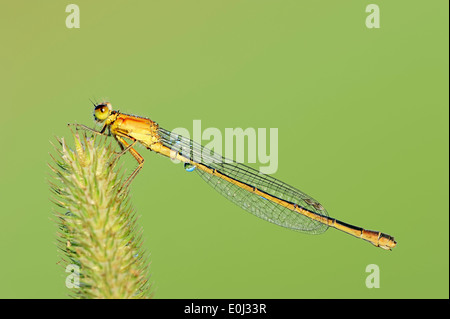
{"x": 262, "y": 195}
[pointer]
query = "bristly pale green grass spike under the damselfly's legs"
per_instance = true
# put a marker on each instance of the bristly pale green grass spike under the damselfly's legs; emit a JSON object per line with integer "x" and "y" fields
{"x": 98, "y": 237}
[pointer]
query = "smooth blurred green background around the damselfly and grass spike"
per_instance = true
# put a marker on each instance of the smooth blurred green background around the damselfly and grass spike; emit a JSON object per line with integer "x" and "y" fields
{"x": 362, "y": 116}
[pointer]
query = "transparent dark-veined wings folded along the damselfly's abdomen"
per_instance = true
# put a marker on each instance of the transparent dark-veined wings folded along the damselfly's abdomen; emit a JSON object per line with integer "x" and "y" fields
{"x": 251, "y": 202}
